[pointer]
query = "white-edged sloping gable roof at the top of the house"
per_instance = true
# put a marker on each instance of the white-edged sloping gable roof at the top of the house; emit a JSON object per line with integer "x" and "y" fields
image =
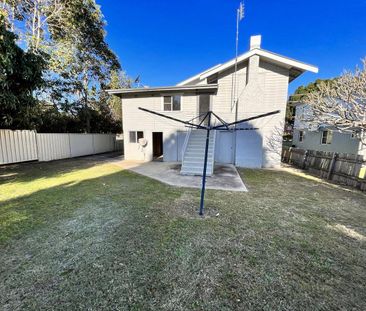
{"x": 296, "y": 67}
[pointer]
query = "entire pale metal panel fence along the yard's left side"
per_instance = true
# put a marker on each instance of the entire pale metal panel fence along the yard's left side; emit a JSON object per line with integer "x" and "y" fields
{"x": 21, "y": 146}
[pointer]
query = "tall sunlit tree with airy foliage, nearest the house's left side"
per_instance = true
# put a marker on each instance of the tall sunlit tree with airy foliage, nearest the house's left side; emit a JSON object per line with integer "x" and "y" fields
{"x": 85, "y": 62}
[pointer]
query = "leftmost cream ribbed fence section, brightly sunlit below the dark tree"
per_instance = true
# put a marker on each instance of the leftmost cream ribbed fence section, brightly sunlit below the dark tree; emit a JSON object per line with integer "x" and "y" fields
{"x": 17, "y": 146}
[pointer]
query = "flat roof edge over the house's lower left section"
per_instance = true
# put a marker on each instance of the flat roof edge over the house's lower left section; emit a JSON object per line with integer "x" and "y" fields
{"x": 207, "y": 88}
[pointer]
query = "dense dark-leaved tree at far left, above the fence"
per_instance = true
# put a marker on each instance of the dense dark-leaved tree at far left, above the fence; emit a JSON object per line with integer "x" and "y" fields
{"x": 20, "y": 76}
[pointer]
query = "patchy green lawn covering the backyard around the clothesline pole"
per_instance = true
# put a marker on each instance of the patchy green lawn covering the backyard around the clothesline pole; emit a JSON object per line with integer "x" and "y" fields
{"x": 84, "y": 235}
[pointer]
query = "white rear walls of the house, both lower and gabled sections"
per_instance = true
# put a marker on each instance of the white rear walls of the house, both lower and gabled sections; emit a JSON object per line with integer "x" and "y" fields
{"x": 263, "y": 91}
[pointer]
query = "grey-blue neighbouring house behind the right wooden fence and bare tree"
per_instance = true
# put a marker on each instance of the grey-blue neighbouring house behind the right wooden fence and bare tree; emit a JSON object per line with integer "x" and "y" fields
{"x": 324, "y": 138}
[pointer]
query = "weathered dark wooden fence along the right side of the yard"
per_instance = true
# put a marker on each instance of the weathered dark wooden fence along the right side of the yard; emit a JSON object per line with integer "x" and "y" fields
{"x": 342, "y": 168}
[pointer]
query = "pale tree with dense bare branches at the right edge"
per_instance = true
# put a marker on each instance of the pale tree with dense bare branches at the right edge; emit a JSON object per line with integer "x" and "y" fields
{"x": 339, "y": 103}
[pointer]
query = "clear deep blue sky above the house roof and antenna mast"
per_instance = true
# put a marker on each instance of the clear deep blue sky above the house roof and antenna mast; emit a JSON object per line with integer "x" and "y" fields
{"x": 168, "y": 41}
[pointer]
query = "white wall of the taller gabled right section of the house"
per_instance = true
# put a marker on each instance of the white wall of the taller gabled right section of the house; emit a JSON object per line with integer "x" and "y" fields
{"x": 262, "y": 87}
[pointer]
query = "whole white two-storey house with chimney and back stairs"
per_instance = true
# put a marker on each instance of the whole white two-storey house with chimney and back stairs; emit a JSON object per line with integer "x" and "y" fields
{"x": 260, "y": 85}
